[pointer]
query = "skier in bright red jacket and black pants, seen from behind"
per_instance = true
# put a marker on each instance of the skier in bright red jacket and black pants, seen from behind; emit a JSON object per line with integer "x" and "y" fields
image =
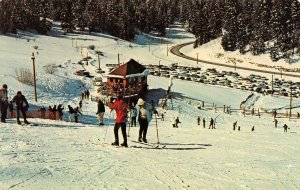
{"x": 121, "y": 108}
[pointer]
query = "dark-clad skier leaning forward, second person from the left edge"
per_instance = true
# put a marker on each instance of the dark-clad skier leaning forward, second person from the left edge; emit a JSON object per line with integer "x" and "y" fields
{"x": 21, "y": 105}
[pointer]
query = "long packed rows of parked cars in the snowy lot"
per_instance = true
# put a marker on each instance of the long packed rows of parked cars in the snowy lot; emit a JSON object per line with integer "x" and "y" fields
{"x": 229, "y": 79}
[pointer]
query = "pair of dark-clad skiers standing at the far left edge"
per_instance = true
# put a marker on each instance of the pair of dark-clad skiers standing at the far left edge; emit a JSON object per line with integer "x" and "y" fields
{"x": 20, "y": 102}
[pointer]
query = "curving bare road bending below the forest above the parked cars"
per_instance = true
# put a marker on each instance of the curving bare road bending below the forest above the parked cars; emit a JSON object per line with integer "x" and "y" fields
{"x": 176, "y": 51}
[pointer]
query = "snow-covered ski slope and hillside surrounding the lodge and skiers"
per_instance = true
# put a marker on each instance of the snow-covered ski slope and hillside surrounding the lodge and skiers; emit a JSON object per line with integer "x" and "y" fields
{"x": 64, "y": 155}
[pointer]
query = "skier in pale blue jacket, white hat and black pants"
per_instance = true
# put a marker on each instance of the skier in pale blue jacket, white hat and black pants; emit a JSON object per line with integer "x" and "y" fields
{"x": 144, "y": 114}
